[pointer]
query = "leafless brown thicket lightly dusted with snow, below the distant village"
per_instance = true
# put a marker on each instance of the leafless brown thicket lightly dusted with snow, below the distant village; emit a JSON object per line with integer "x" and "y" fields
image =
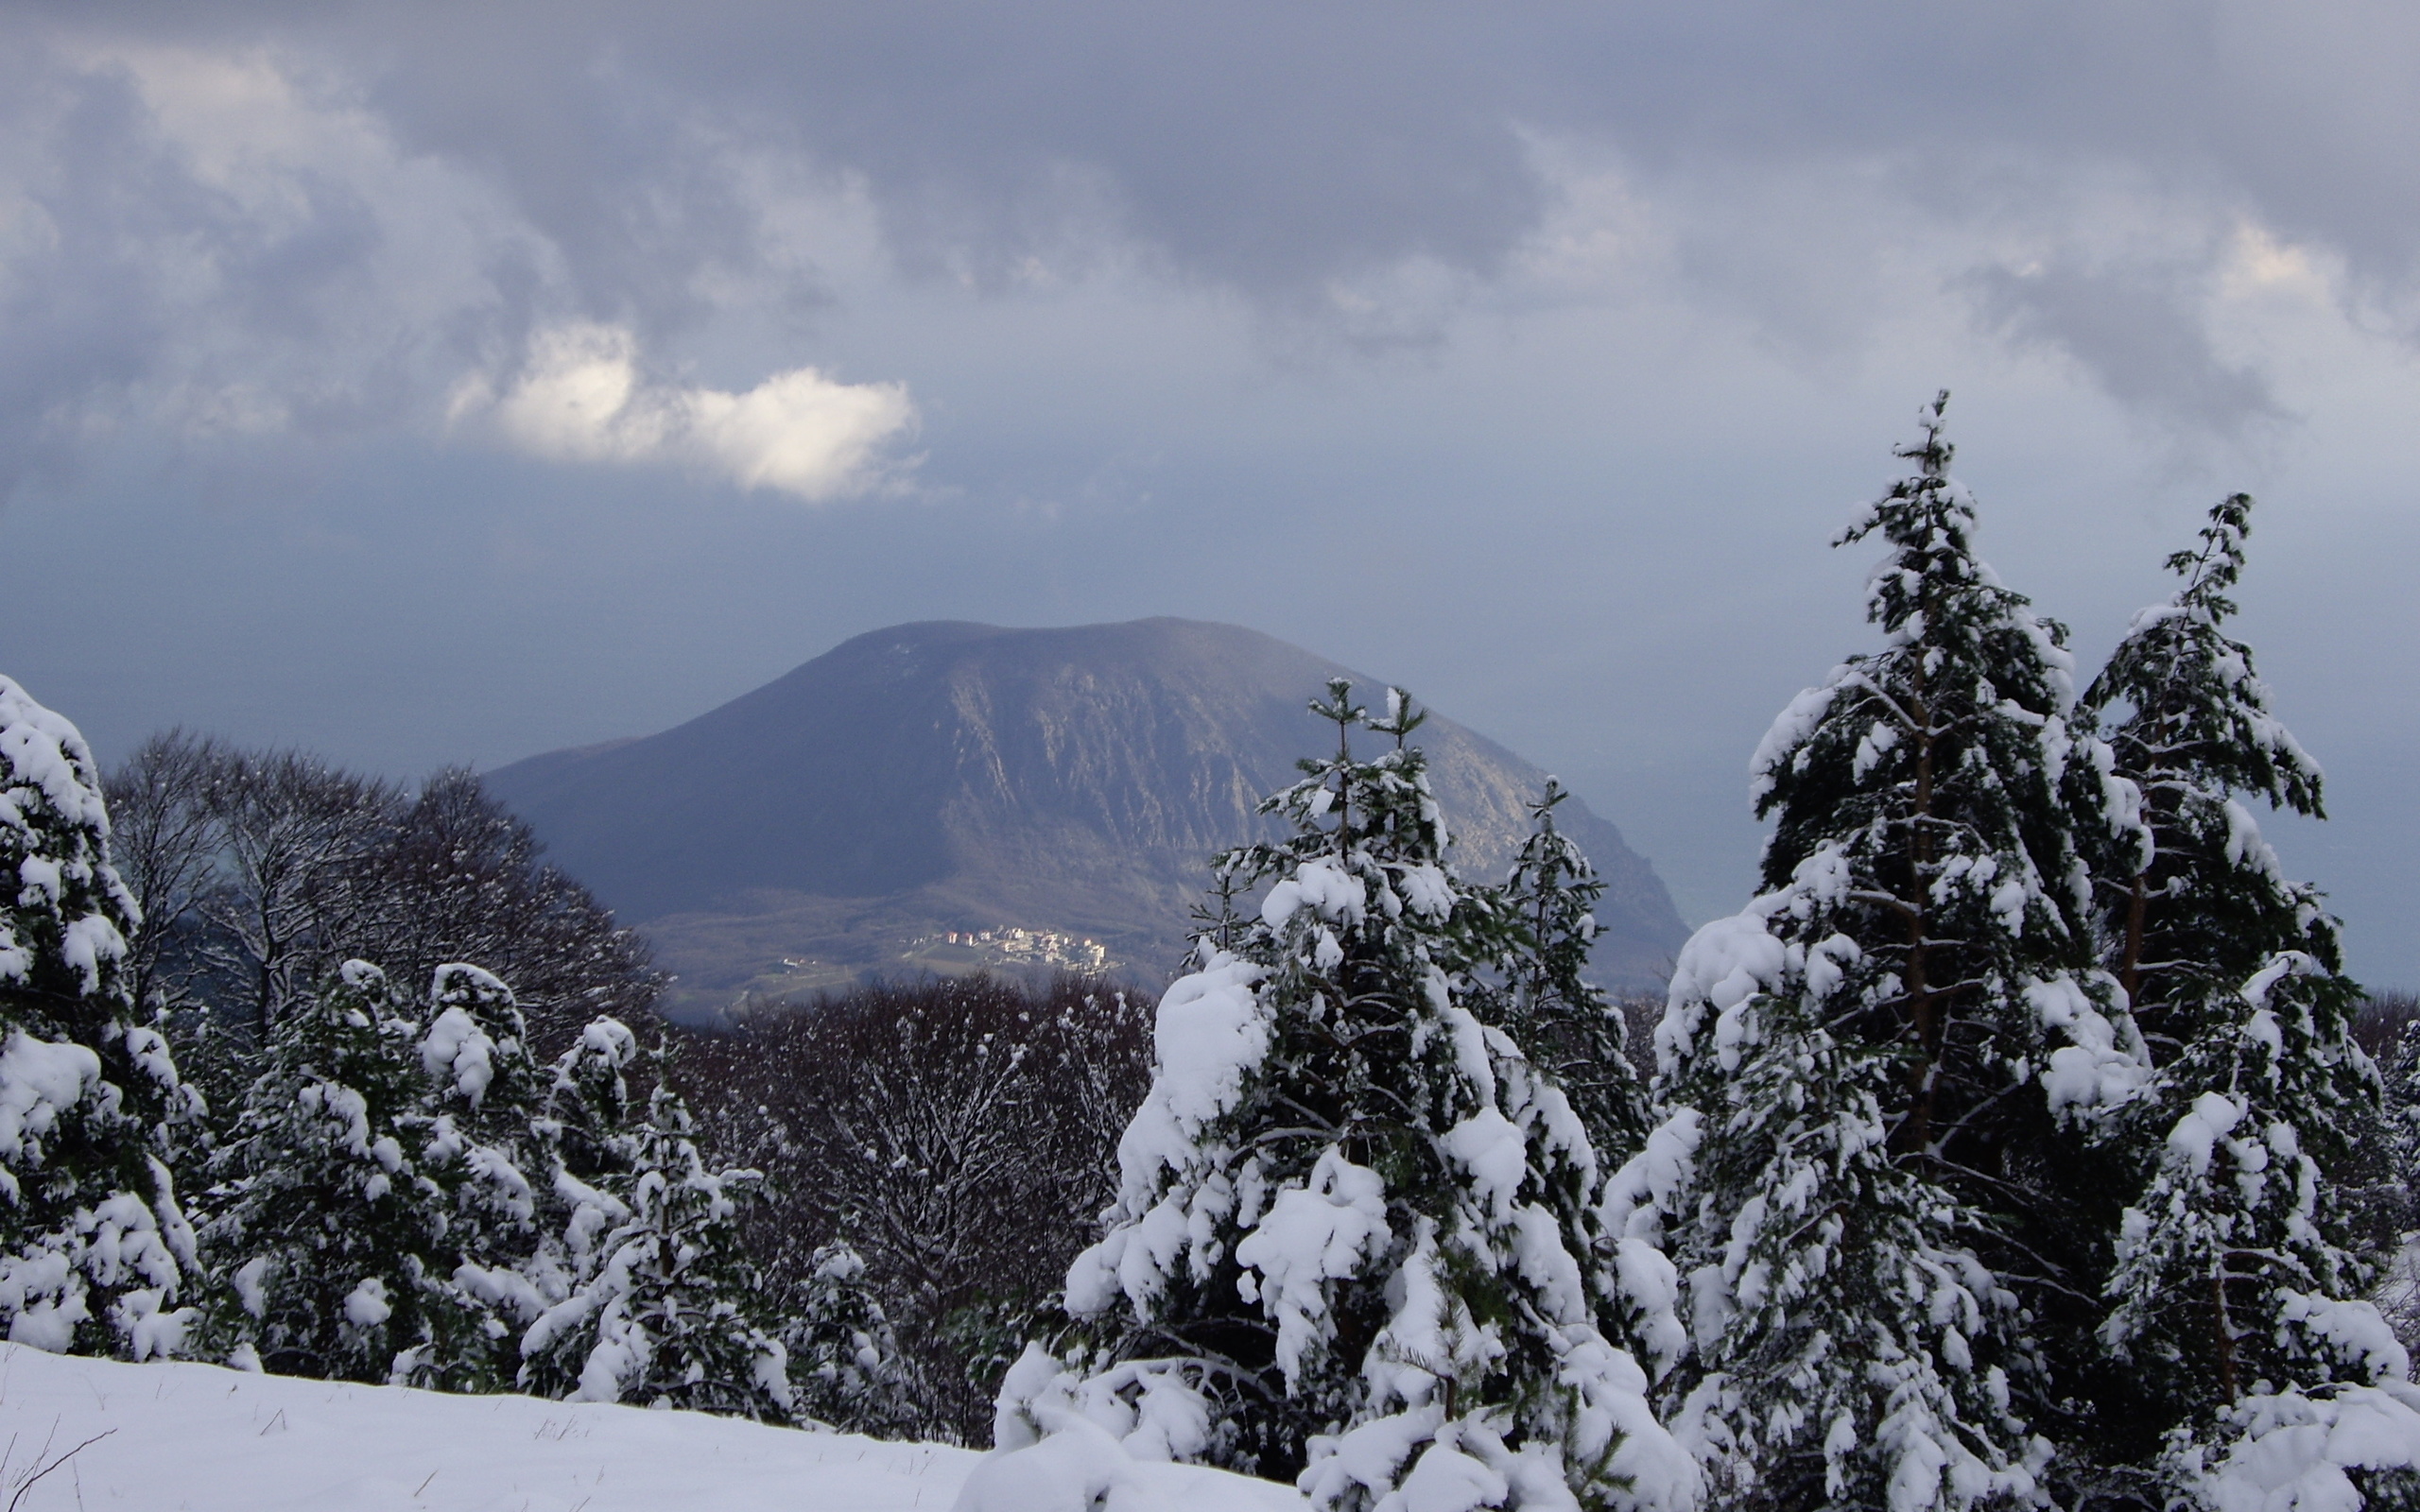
{"x": 957, "y": 1133}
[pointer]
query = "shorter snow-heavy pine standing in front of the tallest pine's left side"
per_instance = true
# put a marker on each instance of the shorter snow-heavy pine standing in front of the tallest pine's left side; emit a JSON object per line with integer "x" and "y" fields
{"x": 1853, "y": 1351}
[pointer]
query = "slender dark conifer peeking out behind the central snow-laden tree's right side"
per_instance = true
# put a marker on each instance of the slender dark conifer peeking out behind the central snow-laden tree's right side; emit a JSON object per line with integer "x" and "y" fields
{"x": 1560, "y": 1020}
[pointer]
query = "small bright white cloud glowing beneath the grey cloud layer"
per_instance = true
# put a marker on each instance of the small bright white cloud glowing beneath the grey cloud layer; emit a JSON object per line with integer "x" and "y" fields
{"x": 584, "y": 400}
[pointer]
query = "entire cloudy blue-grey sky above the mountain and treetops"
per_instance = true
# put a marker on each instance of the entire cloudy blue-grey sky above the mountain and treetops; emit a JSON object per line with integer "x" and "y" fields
{"x": 446, "y": 383}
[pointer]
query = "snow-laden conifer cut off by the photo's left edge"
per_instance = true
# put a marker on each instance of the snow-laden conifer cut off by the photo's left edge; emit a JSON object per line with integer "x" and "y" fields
{"x": 96, "y": 1252}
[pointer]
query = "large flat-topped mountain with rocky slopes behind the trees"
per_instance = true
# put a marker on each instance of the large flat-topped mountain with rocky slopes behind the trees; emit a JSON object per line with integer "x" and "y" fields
{"x": 957, "y": 778}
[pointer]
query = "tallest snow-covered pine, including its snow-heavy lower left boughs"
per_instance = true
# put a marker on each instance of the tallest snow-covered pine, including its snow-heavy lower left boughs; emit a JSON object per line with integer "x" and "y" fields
{"x": 1860, "y": 1167}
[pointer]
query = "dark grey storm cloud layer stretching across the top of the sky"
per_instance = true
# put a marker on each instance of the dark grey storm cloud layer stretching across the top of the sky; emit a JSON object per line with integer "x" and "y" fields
{"x": 609, "y": 163}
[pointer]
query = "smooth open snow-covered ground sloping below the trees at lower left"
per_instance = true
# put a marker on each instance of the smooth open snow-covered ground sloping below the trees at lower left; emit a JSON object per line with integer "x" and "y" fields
{"x": 217, "y": 1441}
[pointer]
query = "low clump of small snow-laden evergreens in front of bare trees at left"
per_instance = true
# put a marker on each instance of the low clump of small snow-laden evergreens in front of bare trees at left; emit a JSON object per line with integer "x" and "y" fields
{"x": 417, "y": 1204}
